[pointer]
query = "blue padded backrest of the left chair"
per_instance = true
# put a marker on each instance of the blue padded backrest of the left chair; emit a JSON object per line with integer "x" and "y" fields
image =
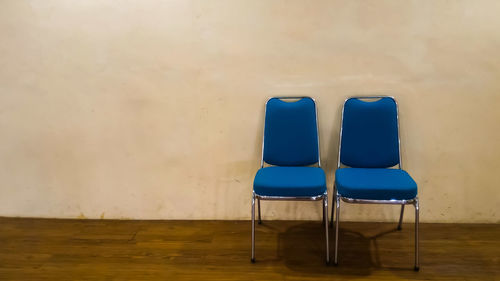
{"x": 291, "y": 132}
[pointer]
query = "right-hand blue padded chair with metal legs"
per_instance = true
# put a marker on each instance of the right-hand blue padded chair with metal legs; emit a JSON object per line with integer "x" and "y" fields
{"x": 369, "y": 152}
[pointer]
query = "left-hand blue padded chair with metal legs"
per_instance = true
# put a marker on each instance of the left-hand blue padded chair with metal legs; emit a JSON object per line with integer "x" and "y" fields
{"x": 291, "y": 146}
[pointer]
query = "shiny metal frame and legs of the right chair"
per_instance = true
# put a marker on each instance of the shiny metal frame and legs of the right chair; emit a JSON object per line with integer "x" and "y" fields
{"x": 337, "y": 197}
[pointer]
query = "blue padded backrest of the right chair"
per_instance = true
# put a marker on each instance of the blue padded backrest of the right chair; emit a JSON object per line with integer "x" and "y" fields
{"x": 370, "y": 133}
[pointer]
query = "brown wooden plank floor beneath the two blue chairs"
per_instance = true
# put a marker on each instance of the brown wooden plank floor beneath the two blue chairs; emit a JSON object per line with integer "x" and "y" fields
{"x": 40, "y": 249}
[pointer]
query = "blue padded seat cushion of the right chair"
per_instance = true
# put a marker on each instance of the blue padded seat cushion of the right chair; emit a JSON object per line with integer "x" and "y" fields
{"x": 375, "y": 184}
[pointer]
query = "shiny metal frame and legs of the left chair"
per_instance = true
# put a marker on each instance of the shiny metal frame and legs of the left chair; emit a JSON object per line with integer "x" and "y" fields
{"x": 323, "y": 197}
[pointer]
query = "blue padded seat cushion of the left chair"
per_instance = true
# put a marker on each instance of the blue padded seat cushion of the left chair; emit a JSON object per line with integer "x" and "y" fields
{"x": 290, "y": 181}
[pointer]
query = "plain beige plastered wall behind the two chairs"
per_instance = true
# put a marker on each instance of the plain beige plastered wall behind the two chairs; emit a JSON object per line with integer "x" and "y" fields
{"x": 154, "y": 109}
